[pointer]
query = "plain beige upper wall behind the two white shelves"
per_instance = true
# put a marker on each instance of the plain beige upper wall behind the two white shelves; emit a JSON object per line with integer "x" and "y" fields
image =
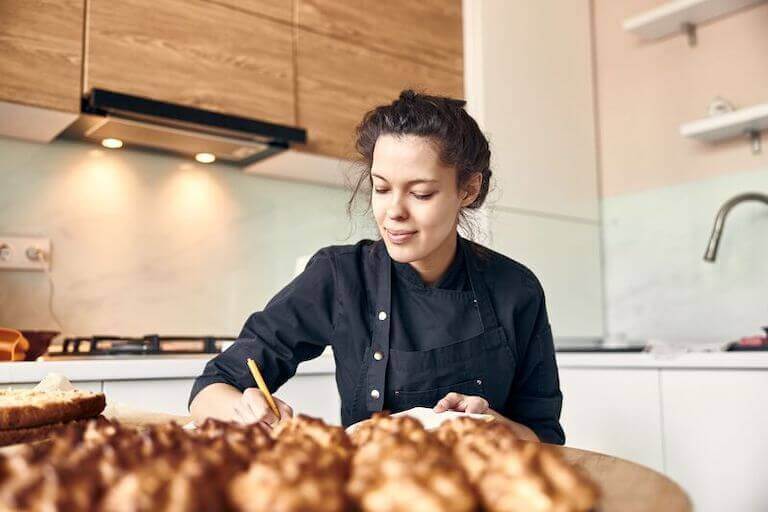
{"x": 645, "y": 90}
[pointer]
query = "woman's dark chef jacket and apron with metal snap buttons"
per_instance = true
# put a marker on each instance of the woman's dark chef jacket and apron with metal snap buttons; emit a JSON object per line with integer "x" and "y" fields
{"x": 337, "y": 300}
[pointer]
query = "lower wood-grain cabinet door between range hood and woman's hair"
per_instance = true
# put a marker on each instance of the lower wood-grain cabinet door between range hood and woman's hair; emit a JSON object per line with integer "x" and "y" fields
{"x": 339, "y": 81}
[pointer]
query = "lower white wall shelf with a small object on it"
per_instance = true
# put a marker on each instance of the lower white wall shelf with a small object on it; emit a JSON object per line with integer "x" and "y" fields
{"x": 733, "y": 124}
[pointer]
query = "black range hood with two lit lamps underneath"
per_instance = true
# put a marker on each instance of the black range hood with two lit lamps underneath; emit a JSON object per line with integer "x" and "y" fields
{"x": 171, "y": 128}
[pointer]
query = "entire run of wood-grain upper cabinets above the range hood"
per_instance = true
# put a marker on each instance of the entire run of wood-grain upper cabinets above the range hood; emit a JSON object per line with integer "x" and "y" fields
{"x": 317, "y": 64}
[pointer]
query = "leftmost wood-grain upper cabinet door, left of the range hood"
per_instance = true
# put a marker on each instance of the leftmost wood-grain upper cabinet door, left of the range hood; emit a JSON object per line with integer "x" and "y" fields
{"x": 40, "y": 53}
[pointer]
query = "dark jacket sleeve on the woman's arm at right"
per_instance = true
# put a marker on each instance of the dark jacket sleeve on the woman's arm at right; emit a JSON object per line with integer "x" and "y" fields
{"x": 535, "y": 399}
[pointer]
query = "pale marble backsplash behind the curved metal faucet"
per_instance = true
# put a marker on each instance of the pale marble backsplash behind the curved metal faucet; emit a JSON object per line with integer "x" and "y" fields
{"x": 657, "y": 284}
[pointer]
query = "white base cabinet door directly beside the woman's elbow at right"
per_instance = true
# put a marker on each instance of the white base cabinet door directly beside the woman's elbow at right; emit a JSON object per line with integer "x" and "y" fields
{"x": 614, "y": 411}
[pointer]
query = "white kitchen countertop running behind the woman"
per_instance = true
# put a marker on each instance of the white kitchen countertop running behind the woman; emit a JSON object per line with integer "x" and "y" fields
{"x": 188, "y": 367}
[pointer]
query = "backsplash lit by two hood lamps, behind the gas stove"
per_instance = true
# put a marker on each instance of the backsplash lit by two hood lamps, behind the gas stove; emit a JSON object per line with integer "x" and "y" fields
{"x": 145, "y": 243}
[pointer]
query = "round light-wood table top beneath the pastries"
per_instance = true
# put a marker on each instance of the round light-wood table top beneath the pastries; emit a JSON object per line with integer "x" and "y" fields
{"x": 626, "y": 486}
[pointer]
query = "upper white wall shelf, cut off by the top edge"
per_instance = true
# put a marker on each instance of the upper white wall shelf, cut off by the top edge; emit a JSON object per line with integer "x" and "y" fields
{"x": 674, "y": 17}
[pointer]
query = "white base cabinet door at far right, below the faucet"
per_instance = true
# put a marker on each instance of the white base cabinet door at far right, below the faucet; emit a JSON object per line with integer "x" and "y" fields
{"x": 715, "y": 436}
